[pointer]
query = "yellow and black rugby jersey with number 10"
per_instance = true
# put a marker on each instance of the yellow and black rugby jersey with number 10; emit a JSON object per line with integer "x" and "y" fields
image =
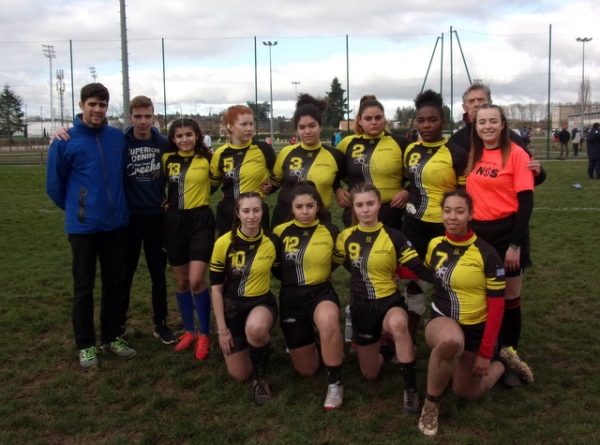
{"x": 244, "y": 265}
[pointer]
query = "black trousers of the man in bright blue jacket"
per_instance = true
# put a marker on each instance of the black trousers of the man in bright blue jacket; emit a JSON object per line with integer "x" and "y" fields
{"x": 109, "y": 248}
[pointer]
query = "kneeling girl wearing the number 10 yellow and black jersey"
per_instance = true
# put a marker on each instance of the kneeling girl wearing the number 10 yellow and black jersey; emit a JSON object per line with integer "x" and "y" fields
{"x": 245, "y": 309}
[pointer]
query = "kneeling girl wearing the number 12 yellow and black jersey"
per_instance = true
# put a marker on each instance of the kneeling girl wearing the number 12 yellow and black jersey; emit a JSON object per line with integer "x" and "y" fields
{"x": 309, "y": 306}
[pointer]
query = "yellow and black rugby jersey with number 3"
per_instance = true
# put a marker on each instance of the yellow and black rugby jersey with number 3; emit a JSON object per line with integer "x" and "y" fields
{"x": 320, "y": 164}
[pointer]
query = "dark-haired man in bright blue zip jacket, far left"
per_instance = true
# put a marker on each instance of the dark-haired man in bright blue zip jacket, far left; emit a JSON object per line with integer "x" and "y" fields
{"x": 85, "y": 179}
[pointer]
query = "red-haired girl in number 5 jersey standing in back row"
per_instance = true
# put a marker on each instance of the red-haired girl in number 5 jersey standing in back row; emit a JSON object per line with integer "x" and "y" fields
{"x": 241, "y": 165}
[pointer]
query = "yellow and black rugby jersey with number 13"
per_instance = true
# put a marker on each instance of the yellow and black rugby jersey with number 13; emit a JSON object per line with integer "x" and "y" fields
{"x": 188, "y": 180}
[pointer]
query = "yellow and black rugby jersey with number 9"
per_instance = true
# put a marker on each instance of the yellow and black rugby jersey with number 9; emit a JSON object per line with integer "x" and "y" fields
{"x": 372, "y": 256}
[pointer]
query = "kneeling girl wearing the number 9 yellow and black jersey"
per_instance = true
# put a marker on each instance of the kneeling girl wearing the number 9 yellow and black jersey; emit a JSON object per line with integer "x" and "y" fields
{"x": 372, "y": 252}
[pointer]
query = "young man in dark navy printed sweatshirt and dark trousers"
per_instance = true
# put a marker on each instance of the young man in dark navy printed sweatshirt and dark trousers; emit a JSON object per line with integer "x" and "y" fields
{"x": 145, "y": 191}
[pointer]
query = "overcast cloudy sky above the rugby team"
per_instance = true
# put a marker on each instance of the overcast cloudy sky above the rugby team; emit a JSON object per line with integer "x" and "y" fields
{"x": 210, "y": 53}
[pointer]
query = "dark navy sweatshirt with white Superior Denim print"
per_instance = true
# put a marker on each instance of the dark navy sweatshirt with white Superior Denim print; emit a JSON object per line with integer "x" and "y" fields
{"x": 144, "y": 181}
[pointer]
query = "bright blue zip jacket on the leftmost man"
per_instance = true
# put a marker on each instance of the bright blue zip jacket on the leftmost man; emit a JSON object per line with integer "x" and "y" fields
{"x": 85, "y": 178}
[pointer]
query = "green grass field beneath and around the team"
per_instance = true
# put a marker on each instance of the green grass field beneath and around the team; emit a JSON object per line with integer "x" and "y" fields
{"x": 161, "y": 396}
